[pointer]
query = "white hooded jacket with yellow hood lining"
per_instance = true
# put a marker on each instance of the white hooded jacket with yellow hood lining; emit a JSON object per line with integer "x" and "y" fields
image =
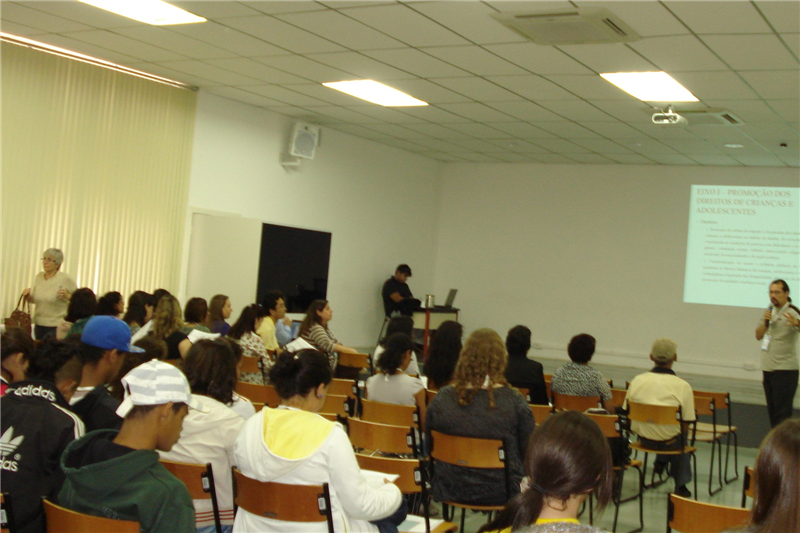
{"x": 296, "y": 447}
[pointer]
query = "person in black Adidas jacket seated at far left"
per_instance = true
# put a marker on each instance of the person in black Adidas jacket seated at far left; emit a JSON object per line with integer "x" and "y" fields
{"x": 36, "y": 426}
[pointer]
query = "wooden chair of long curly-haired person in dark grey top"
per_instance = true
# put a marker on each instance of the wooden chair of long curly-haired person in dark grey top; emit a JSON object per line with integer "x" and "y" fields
{"x": 469, "y": 452}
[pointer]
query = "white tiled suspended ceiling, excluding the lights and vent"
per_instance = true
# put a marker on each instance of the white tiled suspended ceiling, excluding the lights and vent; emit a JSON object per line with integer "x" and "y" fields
{"x": 494, "y": 96}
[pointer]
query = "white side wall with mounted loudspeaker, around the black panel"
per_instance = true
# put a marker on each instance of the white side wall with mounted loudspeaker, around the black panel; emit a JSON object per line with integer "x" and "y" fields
{"x": 378, "y": 202}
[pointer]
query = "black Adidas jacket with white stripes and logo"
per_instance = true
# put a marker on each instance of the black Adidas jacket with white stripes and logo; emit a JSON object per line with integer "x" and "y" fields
{"x": 36, "y": 425}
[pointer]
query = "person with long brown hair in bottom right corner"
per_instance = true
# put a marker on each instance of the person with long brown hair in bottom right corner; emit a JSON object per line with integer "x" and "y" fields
{"x": 777, "y": 482}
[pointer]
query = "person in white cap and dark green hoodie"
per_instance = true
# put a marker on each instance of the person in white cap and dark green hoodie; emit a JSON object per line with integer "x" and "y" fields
{"x": 116, "y": 474}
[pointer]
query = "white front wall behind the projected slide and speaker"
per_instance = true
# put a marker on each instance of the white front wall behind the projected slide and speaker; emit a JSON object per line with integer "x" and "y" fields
{"x": 591, "y": 248}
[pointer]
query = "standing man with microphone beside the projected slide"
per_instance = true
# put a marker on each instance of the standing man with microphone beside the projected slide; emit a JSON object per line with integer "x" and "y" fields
{"x": 778, "y": 333}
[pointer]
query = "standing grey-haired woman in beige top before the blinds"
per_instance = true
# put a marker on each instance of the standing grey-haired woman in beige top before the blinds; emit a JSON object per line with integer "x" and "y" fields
{"x": 50, "y": 293}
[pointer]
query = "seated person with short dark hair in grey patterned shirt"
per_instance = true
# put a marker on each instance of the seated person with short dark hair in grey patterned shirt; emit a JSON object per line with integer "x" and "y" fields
{"x": 577, "y": 378}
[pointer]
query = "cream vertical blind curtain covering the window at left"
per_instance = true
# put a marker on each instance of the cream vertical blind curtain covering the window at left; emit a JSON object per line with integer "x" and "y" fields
{"x": 96, "y": 163}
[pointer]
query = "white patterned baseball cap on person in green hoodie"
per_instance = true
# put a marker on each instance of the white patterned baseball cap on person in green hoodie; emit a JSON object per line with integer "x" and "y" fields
{"x": 156, "y": 383}
